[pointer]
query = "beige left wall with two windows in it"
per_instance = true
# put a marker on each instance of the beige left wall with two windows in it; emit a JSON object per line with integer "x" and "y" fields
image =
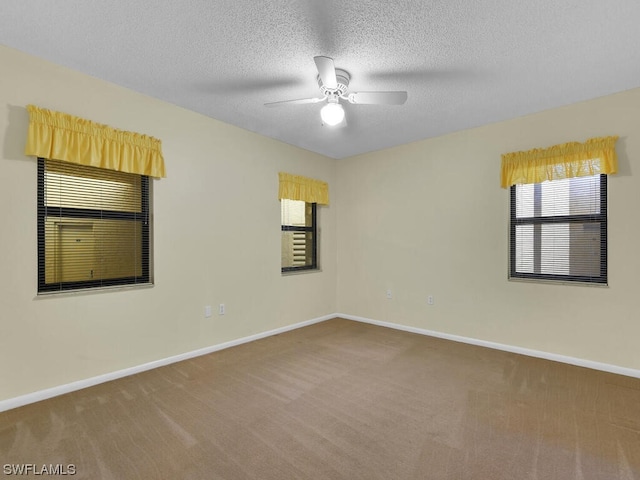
{"x": 216, "y": 238}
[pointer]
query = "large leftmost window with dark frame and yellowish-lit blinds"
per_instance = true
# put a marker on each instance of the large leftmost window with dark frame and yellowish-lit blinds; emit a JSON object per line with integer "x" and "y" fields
{"x": 93, "y": 227}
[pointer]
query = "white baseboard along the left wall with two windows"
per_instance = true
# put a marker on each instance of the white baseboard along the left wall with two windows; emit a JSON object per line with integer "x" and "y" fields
{"x": 107, "y": 377}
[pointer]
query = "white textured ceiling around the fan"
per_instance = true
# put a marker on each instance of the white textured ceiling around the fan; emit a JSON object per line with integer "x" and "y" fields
{"x": 464, "y": 63}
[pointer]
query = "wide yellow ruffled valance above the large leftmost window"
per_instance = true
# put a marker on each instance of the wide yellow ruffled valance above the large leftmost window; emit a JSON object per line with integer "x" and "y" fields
{"x": 59, "y": 136}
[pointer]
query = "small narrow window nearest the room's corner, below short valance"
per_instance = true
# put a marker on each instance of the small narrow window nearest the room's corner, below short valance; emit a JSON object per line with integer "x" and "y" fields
{"x": 299, "y": 236}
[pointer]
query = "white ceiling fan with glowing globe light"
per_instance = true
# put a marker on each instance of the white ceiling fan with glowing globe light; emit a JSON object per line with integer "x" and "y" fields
{"x": 334, "y": 85}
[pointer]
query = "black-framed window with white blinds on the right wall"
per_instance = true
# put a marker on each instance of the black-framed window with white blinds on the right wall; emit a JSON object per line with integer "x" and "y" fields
{"x": 559, "y": 230}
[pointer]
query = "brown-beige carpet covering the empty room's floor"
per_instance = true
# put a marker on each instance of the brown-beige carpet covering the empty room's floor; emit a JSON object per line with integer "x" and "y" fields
{"x": 340, "y": 400}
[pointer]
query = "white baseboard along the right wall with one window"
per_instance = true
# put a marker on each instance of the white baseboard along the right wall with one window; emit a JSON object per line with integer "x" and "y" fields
{"x": 605, "y": 367}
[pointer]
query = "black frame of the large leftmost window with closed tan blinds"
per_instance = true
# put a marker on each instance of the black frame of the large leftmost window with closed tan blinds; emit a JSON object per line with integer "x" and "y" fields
{"x": 83, "y": 213}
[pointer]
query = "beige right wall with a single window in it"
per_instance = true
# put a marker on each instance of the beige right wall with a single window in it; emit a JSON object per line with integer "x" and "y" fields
{"x": 429, "y": 218}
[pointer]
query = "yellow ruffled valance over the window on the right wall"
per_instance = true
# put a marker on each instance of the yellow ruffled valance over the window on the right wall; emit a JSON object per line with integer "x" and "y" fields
{"x": 568, "y": 160}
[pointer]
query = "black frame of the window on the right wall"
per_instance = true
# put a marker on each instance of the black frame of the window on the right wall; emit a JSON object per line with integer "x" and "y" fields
{"x": 539, "y": 220}
